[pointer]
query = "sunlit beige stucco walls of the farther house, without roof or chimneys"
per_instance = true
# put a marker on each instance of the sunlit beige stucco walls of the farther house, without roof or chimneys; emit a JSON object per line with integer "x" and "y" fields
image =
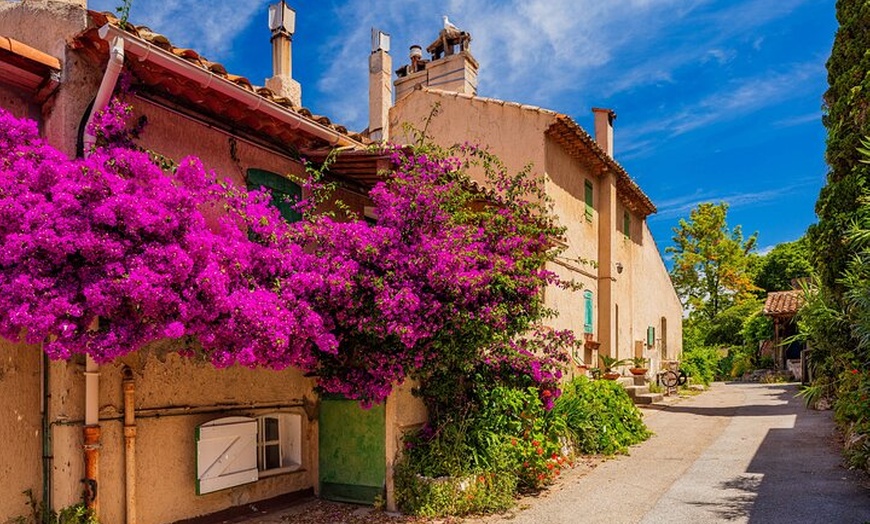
{"x": 641, "y": 295}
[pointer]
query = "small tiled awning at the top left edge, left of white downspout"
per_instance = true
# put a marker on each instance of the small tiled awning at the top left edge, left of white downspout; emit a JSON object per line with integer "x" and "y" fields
{"x": 24, "y": 67}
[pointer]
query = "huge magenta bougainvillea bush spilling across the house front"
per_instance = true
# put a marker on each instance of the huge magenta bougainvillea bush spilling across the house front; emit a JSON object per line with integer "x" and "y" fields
{"x": 105, "y": 254}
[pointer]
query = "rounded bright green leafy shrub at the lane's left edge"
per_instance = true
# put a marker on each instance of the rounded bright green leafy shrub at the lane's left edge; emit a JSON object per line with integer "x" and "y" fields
{"x": 600, "y": 417}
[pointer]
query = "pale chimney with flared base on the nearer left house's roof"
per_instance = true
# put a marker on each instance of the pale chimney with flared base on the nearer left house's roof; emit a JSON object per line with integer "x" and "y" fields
{"x": 282, "y": 23}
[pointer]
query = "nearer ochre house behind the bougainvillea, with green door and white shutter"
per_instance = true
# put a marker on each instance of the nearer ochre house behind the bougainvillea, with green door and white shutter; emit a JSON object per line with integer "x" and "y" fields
{"x": 155, "y": 437}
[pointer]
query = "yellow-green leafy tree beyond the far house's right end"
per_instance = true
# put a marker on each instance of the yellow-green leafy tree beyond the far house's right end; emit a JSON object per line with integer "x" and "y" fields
{"x": 711, "y": 261}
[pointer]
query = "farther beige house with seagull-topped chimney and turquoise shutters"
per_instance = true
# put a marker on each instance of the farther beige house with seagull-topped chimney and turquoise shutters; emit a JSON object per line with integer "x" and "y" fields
{"x": 628, "y": 307}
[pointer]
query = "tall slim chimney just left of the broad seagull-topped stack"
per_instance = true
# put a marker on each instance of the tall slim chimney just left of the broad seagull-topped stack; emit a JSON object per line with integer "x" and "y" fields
{"x": 380, "y": 86}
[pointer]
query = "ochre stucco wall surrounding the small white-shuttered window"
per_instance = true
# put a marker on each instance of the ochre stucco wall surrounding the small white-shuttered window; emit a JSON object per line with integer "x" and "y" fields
{"x": 173, "y": 396}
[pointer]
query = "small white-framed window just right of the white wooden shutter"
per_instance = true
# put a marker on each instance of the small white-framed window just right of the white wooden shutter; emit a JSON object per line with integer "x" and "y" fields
{"x": 279, "y": 442}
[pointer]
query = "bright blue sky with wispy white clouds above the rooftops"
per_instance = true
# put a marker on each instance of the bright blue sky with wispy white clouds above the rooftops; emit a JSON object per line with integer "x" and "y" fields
{"x": 717, "y": 100}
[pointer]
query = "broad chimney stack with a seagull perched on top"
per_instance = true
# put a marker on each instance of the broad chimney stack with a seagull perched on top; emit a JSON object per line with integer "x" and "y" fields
{"x": 451, "y": 68}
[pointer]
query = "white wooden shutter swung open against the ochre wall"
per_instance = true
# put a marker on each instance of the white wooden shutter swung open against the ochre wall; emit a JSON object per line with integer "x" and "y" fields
{"x": 226, "y": 453}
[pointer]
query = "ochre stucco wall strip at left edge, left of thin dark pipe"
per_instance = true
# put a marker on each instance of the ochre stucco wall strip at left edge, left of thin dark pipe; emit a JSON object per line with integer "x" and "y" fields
{"x": 21, "y": 427}
